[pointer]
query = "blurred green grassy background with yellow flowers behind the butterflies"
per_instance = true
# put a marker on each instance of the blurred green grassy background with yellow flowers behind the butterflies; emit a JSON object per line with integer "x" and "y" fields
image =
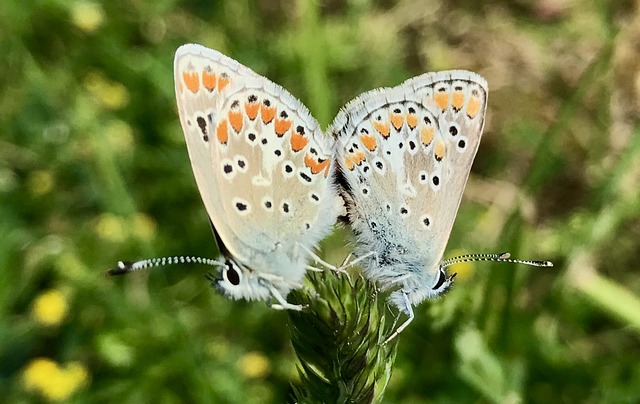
{"x": 93, "y": 169}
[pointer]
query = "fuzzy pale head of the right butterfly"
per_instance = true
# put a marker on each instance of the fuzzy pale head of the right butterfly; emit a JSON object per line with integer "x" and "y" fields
{"x": 420, "y": 287}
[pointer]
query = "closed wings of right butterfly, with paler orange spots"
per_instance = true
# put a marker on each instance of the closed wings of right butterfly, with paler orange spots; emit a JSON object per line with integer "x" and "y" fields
{"x": 404, "y": 155}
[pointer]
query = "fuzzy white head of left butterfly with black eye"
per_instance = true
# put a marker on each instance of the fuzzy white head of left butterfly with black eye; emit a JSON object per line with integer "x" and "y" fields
{"x": 236, "y": 281}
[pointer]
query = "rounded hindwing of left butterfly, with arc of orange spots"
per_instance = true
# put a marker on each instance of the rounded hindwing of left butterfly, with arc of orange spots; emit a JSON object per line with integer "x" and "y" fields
{"x": 273, "y": 163}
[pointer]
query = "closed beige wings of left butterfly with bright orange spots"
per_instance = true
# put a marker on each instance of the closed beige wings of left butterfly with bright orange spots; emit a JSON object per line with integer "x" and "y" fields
{"x": 260, "y": 161}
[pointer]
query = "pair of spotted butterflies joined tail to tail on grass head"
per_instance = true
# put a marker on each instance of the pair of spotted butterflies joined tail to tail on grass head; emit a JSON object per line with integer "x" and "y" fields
{"x": 274, "y": 184}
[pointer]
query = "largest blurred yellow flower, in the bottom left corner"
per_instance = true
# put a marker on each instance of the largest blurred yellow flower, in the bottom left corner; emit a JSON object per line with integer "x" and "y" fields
{"x": 44, "y": 376}
